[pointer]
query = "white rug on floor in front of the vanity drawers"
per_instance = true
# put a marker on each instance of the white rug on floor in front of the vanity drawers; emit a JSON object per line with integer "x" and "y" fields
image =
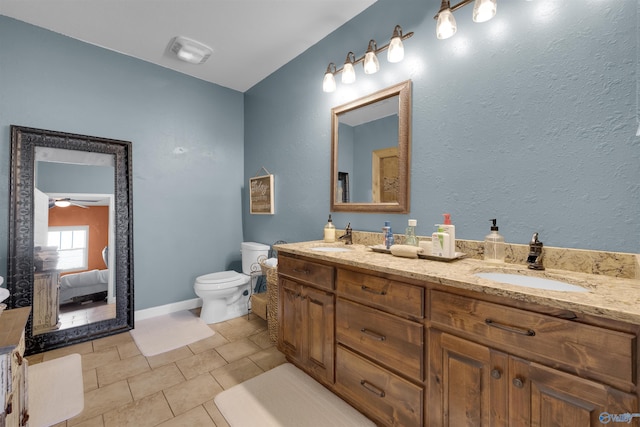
{"x": 286, "y": 397}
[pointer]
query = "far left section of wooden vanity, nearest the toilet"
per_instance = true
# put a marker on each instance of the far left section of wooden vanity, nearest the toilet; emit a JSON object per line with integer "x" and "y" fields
{"x": 307, "y": 312}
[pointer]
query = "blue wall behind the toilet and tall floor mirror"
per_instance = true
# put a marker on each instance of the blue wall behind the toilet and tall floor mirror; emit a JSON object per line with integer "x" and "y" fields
{"x": 187, "y": 138}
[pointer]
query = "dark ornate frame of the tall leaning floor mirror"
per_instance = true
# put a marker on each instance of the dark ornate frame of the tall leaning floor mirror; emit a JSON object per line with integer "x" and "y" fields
{"x": 24, "y": 142}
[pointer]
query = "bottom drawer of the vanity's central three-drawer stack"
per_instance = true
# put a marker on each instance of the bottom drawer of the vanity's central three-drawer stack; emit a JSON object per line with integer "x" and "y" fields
{"x": 390, "y": 399}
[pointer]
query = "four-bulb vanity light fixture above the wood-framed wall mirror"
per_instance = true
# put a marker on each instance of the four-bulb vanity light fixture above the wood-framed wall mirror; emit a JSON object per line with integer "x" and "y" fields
{"x": 369, "y": 60}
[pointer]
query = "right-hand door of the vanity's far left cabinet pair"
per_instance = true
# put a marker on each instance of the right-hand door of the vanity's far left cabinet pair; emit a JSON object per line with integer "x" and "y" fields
{"x": 319, "y": 336}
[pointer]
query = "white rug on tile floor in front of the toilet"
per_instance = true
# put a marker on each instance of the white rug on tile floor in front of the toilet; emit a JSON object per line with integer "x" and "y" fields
{"x": 170, "y": 331}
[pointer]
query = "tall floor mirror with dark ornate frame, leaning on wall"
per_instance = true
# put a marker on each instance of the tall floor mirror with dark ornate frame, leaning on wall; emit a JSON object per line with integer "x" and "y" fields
{"x": 70, "y": 236}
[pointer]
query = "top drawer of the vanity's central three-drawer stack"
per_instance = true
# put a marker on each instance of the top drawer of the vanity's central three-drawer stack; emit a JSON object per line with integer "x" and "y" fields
{"x": 388, "y": 295}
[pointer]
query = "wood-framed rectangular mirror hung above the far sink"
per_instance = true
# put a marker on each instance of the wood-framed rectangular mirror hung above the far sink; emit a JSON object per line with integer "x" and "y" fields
{"x": 371, "y": 152}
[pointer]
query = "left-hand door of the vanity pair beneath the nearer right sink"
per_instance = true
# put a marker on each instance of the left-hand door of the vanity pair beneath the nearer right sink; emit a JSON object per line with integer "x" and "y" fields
{"x": 467, "y": 383}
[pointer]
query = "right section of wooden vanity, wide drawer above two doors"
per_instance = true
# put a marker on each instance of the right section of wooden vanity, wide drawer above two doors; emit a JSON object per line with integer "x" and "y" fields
{"x": 479, "y": 379}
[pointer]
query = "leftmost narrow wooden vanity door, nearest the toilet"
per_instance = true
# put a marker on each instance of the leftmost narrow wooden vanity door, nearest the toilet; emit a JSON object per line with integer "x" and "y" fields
{"x": 290, "y": 311}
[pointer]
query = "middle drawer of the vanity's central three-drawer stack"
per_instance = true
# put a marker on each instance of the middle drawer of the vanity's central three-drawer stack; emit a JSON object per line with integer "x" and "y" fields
{"x": 388, "y": 339}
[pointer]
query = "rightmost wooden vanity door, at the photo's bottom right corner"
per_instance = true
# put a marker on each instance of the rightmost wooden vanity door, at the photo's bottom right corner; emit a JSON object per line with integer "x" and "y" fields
{"x": 541, "y": 396}
